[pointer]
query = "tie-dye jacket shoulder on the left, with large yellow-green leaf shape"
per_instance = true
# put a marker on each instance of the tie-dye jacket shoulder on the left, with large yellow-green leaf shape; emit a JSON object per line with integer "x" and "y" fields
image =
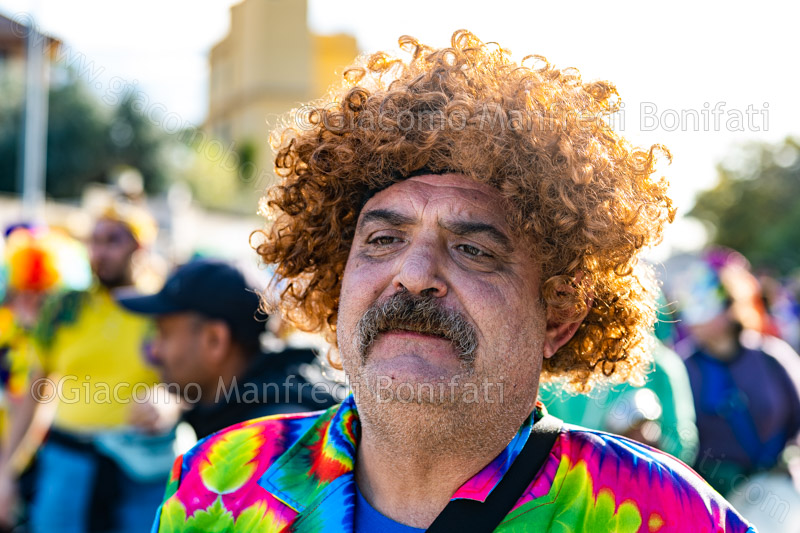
{"x": 221, "y": 472}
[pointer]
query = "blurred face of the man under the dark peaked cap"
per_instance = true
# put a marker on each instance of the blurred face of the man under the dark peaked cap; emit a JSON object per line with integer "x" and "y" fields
{"x": 178, "y": 349}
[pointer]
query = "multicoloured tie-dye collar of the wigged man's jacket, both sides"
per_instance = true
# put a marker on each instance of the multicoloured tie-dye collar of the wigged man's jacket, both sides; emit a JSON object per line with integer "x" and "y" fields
{"x": 326, "y": 452}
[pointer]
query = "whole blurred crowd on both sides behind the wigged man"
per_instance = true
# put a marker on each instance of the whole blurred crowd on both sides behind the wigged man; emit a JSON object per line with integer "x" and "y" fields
{"x": 102, "y": 385}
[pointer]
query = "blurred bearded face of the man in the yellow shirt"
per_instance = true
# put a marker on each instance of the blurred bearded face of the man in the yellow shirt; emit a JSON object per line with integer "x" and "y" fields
{"x": 111, "y": 248}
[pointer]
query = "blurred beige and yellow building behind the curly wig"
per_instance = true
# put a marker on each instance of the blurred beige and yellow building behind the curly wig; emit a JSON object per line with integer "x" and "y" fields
{"x": 268, "y": 63}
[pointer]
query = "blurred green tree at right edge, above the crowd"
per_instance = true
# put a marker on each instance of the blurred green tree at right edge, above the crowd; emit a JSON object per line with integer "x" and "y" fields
{"x": 754, "y": 206}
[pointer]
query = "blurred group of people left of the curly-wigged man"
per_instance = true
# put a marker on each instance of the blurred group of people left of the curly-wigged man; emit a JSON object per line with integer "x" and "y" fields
{"x": 102, "y": 385}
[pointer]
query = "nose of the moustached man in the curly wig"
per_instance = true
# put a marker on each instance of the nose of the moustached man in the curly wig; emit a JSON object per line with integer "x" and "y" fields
{"x": 420, "y": 270}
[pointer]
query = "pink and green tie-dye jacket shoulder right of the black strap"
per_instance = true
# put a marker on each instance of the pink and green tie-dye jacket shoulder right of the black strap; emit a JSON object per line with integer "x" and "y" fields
{"x": 602, "y": 482}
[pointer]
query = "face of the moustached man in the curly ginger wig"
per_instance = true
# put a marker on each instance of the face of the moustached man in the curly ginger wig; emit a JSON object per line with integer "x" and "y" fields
{"x": 444, "y": 237}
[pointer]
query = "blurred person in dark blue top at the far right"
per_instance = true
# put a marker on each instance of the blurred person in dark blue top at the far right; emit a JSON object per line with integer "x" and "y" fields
{"x": 745, "y": 383}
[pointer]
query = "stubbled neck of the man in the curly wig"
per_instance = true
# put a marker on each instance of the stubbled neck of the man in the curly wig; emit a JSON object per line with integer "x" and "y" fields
{"x": 410, "y": 477}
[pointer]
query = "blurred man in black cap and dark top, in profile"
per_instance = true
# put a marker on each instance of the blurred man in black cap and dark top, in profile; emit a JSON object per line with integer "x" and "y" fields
{"x": 208, "y": 346}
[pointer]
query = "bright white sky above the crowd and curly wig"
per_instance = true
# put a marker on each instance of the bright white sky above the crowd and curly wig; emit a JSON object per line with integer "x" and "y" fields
{"x": 701, "y": 78}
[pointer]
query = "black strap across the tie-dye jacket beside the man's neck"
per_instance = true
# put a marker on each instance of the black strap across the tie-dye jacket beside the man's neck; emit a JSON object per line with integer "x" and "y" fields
{"x": 474, "y": 516}
